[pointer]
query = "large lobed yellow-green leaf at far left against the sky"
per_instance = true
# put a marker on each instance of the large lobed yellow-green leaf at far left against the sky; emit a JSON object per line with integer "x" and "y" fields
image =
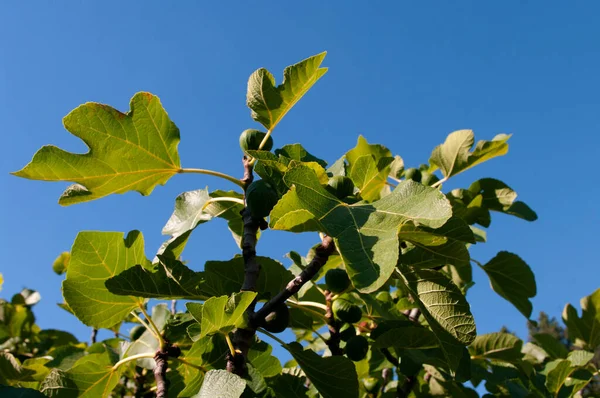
{"x": 128, "y": 152}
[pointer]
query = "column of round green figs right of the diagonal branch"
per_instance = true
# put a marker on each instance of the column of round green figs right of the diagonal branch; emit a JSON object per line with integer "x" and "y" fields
{"x": 346, "y": 312}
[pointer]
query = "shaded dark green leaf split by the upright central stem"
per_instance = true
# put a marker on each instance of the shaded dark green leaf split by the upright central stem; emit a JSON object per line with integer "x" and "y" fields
{"x": 226, "y": 277}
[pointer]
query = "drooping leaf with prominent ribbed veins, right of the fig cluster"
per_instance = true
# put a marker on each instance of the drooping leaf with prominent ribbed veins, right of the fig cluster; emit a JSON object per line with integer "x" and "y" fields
{"x": 446, "y": 310}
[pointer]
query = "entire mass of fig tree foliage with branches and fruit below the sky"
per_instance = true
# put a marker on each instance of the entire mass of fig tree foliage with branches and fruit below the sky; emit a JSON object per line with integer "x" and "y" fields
{"x": 402, "y": 241}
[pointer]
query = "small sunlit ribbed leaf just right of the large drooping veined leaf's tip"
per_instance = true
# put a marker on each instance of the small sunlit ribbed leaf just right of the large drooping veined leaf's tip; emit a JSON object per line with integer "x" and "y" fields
{"x": 498, "y": 346}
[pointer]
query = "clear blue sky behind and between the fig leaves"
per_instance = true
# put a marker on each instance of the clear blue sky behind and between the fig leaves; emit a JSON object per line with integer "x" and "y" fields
{"x": 404, "y": 74}
